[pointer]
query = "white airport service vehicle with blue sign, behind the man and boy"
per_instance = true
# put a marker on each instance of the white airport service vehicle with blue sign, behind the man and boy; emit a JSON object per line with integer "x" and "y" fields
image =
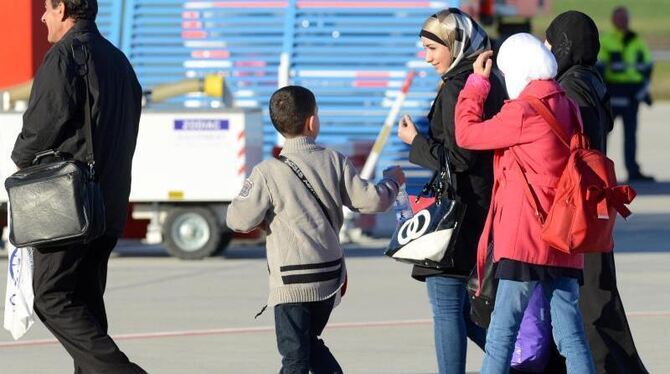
{"x": 188, "y": 166}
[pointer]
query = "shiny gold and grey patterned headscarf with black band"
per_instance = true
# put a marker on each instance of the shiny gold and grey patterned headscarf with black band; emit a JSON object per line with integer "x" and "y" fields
{"x": 464, "y": 37}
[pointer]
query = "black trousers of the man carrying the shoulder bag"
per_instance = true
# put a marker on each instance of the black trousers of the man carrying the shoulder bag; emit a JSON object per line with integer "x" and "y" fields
{"x": 69, "y": 283}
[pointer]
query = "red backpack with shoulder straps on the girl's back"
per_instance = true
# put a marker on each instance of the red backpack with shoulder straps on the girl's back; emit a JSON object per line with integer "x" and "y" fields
{"x": 581, "y": 218}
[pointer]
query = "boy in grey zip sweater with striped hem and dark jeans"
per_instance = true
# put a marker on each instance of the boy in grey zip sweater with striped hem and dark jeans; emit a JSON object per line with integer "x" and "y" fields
{"x": 305, "y": 260}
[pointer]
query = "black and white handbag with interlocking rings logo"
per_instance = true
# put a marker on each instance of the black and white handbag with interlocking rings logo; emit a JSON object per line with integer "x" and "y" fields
{"x": 428, "y": 238}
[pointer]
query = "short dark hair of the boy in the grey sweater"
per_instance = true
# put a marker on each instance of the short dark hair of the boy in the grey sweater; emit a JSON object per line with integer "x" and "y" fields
{"x": 290, "y": 107}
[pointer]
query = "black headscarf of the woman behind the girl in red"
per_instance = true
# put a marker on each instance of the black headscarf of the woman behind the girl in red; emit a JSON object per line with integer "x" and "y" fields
{"x": 574, "y": 40}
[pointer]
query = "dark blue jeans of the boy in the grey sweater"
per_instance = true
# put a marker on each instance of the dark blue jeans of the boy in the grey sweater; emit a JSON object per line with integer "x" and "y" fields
{"x": 298, "y": 326}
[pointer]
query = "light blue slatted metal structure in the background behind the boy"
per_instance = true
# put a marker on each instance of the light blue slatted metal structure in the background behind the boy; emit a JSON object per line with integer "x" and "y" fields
{"x": 353, "y": 54}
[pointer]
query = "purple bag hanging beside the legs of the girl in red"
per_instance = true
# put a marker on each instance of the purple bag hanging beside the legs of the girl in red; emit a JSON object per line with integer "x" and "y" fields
{"x": 533, "y": 343}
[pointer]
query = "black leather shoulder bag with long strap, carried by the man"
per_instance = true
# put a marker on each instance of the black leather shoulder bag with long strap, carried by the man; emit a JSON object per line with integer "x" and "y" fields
{"x": 58, "y": 201}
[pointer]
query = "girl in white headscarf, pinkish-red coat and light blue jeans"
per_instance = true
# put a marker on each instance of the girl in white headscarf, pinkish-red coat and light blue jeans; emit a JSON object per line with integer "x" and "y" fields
{"x": 526, "y": 149}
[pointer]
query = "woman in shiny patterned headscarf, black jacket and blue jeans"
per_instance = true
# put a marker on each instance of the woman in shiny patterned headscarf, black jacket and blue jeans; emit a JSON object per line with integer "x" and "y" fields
{"x": 452, "y": 41}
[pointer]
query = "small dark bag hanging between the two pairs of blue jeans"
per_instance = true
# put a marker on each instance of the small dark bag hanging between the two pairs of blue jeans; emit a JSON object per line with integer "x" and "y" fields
{"x": 481, "y": 306}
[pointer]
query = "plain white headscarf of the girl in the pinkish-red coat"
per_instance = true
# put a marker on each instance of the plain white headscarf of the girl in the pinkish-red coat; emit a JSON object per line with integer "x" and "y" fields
{"x": 523, "y": 58}
